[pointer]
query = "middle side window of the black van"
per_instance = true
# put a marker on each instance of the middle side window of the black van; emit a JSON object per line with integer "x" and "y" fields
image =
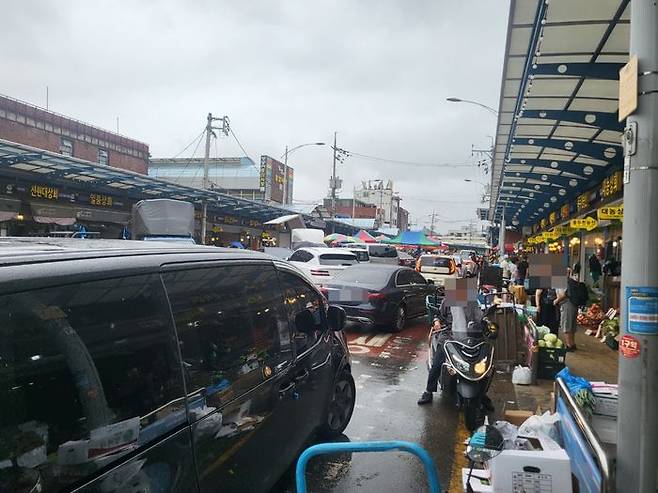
{"x": 232, "y": 328}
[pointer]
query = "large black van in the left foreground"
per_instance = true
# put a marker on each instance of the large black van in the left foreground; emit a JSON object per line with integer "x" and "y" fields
{"x": 152, "y": 367}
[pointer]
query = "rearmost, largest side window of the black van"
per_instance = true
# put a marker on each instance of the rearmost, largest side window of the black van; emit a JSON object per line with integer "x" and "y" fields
{"x": 88, "y": 372}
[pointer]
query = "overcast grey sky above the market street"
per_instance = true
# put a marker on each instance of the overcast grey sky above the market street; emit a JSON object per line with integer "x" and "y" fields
{"x": 286, "y": 73}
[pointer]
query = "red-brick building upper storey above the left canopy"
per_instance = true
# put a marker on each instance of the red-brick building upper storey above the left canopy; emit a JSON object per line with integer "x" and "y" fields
{"x": 30, "y": 125}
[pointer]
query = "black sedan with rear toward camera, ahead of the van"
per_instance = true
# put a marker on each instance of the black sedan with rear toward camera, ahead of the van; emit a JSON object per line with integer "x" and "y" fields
{"x": 377, "y": 294}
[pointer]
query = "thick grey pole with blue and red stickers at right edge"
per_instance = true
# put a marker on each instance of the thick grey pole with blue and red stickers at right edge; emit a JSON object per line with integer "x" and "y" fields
{"x": 637, "y": 447}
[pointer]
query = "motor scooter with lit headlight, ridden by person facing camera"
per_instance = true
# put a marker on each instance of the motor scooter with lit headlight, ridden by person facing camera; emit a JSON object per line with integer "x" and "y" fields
{"x": 467, "y": 369}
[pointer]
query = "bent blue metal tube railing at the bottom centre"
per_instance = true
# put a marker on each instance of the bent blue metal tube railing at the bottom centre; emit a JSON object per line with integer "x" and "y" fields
{"x": 387, "y": 446}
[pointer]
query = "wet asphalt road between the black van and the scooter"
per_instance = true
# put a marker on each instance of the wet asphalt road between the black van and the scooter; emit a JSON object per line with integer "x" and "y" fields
{"x": 390, "y": 372}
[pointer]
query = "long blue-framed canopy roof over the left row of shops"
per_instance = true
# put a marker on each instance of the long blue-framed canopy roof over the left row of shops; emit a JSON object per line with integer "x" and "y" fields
{"x": 18, "y": 160}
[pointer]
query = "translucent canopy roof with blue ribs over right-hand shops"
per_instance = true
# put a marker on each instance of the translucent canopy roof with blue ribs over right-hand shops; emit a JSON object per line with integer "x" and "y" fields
{"x": 557, "y": 131}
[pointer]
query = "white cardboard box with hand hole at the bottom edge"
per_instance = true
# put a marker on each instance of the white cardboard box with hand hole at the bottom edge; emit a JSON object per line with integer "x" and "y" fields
{"x": 538, "y": 471}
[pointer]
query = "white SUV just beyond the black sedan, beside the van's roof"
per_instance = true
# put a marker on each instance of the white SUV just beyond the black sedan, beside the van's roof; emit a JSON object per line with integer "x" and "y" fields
{"x": 321, "y": 264}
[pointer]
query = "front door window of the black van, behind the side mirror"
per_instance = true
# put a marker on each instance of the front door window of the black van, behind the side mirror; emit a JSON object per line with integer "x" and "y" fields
{"x": 300, "y": 296}
